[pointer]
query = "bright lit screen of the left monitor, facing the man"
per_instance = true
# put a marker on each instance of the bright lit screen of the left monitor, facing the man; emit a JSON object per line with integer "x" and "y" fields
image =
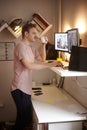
{"x": 61, "y": 43}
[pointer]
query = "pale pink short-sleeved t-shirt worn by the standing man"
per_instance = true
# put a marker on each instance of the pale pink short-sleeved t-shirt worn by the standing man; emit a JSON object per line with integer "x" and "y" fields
{"x": 22, "y": 76}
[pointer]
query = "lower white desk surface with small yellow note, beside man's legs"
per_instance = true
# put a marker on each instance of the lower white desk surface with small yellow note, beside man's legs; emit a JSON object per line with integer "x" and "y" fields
{"x": 55, "y": 105}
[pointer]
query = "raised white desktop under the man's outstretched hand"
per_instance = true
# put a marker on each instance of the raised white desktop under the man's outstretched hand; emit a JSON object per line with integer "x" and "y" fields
{"x": 67, "y": 73}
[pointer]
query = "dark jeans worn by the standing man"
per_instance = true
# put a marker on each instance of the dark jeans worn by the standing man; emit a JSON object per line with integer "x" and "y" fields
{"x": 24, "y": 110}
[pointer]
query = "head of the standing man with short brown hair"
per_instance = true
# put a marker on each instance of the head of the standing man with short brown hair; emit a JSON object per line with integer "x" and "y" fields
{"x": 29, "y": 32}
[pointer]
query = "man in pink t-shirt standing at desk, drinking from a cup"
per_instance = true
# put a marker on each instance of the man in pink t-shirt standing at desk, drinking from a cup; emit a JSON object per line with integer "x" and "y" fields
{"x": 24, "y": 62}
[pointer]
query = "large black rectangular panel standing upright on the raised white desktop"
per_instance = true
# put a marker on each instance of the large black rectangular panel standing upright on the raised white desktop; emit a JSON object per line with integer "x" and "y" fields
{"x": 78, "y": 59}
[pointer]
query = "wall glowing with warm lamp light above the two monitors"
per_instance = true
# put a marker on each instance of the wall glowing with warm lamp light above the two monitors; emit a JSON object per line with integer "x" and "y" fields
{"x": 74, "y": 16}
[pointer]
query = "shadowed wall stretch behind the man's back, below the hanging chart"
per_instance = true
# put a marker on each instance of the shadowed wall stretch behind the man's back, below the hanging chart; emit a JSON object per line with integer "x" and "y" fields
{"x": 7, "y": 112}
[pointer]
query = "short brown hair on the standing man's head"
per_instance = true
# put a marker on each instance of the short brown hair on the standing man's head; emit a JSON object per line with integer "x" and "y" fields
{"x": 26, "y": 27}
